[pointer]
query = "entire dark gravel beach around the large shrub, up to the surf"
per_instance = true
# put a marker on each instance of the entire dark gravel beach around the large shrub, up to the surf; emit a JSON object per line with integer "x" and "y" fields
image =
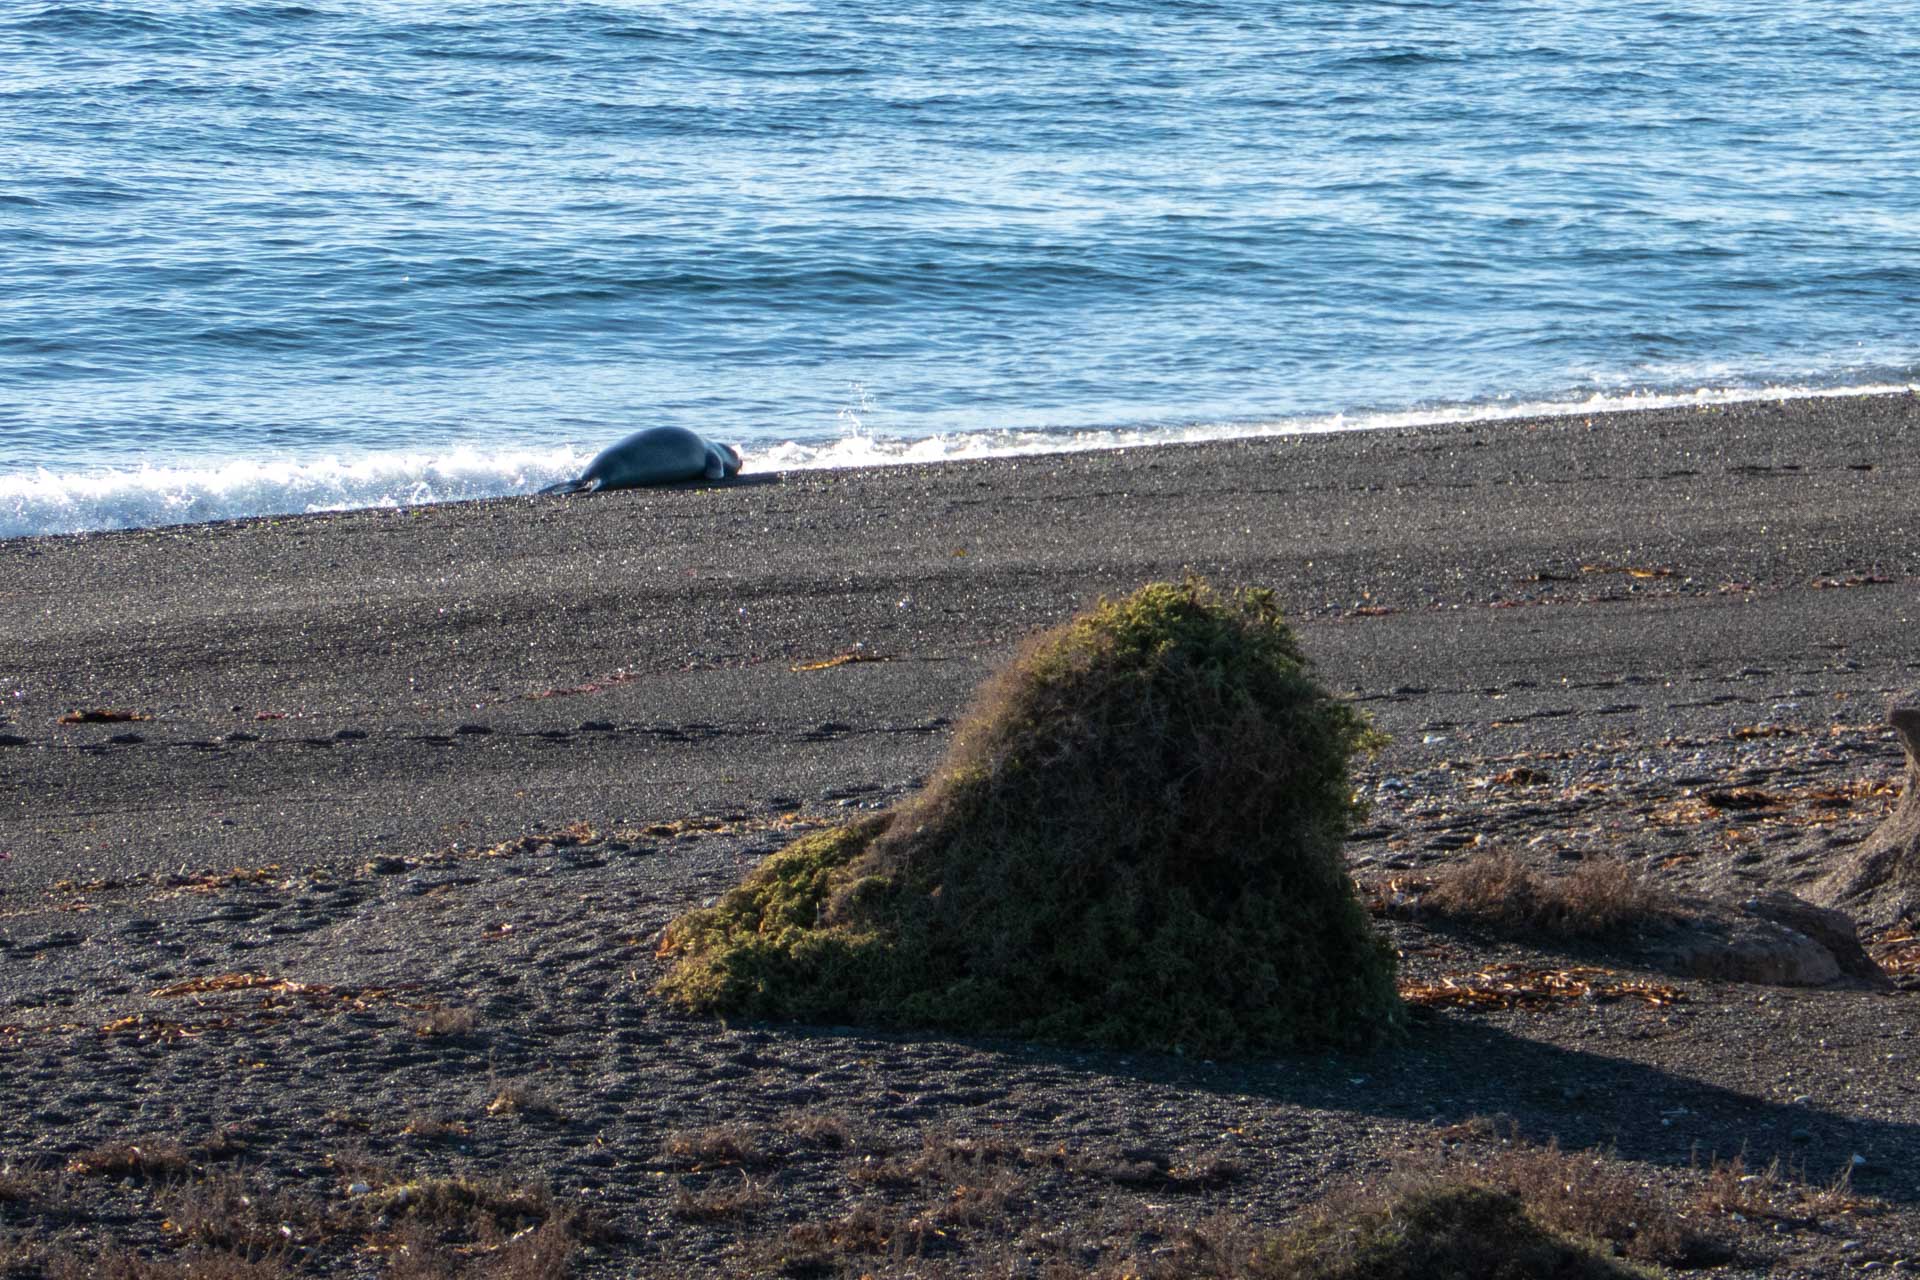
{"x": 396, "y": 803}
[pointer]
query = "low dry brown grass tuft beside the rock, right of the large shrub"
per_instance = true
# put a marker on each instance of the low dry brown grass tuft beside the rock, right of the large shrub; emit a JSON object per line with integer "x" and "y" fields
{"x": 1499, "y": 891}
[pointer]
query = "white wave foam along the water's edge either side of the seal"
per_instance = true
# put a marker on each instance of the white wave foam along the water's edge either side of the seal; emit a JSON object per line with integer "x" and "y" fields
{"x": 41, "y": 502}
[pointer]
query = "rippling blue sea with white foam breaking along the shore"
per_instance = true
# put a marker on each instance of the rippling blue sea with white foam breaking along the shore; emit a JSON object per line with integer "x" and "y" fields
{"x": 266, "y": 258}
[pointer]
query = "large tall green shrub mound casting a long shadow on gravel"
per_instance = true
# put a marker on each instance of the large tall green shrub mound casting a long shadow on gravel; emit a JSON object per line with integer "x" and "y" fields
{"x": 1136, "y": 841}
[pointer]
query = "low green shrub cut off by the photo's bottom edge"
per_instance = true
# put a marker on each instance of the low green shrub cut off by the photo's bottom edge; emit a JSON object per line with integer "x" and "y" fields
{"x": 1443, "y": 1233}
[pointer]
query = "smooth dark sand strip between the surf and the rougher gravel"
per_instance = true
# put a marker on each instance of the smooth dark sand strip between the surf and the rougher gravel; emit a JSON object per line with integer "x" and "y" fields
{"x": 688, "y": 611}
